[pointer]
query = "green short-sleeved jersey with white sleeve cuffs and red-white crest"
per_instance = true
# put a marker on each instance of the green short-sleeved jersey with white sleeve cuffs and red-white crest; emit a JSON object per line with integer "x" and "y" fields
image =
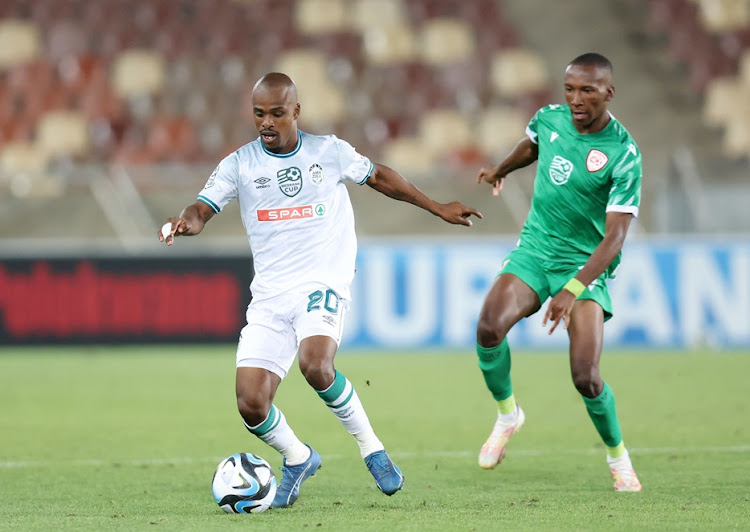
{"x": 579, "y": 179}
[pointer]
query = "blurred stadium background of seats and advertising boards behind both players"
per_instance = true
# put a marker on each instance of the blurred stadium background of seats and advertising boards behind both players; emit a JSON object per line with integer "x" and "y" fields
{"x": 113, "y": 113}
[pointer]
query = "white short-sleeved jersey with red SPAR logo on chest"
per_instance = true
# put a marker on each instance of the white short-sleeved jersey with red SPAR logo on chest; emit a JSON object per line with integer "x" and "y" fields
{"x": 296, "y": 210}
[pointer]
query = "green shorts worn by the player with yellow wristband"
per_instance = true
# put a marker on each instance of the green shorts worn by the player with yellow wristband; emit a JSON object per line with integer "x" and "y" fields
{"x": 547, "y": 278}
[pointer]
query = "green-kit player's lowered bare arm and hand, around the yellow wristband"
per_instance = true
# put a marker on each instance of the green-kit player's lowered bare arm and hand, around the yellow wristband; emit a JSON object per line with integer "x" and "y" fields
{"x": 615, "y": 230}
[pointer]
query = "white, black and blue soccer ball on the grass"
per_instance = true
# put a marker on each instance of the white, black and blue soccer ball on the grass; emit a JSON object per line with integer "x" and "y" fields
{"x": 244, "y": 483}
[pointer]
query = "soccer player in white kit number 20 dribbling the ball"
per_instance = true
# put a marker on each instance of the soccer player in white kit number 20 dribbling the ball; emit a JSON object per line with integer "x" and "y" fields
{"x": 300, "y": 223}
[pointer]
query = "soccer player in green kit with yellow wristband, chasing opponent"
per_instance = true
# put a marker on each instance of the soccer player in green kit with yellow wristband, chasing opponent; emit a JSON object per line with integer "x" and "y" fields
{"x": 586, "y": 191}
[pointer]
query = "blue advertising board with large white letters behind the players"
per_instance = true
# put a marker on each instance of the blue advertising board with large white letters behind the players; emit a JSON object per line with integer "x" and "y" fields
{"x": 670, "y": 293}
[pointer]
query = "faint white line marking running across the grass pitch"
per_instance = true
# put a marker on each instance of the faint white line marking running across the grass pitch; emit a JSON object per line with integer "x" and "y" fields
{"x": 403, "y": 454}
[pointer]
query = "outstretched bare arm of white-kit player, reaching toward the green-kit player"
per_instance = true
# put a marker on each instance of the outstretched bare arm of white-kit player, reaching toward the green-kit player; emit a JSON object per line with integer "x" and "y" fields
{"x": 389, "y": 182}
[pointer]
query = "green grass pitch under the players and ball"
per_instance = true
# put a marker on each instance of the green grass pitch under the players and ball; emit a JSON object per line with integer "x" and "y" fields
{"x": 128, "y": 439}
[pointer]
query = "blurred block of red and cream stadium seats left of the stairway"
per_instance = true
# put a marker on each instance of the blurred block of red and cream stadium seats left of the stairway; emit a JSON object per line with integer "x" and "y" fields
{"x": 150, "y": 81}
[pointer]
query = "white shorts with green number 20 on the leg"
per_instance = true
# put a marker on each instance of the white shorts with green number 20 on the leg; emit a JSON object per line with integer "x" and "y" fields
{"x": 276, "y": 326}
